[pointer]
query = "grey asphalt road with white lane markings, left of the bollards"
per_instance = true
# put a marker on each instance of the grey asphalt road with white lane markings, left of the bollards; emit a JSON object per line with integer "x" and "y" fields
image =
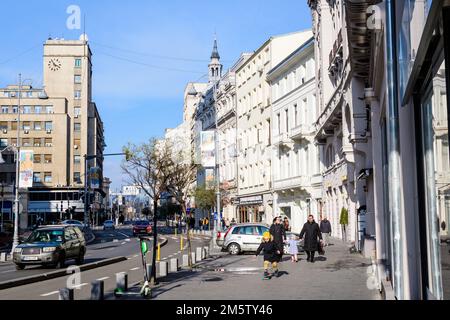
{"x": 104, "y": 247}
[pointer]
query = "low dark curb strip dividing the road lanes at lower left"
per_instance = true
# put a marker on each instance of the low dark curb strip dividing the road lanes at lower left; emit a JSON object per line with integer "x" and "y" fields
{"x": 56, "y": 274}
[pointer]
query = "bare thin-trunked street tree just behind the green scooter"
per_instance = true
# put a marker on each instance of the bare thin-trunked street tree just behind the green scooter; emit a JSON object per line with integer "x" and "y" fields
{"x": 148, "y": 166}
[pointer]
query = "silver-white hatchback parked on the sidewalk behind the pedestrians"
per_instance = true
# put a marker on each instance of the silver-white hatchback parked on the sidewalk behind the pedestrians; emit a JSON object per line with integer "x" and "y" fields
{"x": 244, "y": 237}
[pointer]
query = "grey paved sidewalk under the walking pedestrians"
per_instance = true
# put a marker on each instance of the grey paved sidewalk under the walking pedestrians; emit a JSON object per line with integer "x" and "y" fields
{"x": 338, "y": 275}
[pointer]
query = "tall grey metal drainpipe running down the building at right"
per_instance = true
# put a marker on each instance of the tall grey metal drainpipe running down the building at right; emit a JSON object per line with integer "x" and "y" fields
{"x": 394, "y": 150}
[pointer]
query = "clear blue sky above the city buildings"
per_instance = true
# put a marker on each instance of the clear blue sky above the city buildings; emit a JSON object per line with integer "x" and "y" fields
{"x": 137, "y": 101}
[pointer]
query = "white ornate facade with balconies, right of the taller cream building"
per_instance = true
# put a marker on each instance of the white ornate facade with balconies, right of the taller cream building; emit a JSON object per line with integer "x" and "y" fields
{"x": 296, "y": 168}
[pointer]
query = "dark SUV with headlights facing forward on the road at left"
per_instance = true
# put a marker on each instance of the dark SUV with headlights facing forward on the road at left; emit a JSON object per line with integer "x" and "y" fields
{"x": 51, "y": 246}
